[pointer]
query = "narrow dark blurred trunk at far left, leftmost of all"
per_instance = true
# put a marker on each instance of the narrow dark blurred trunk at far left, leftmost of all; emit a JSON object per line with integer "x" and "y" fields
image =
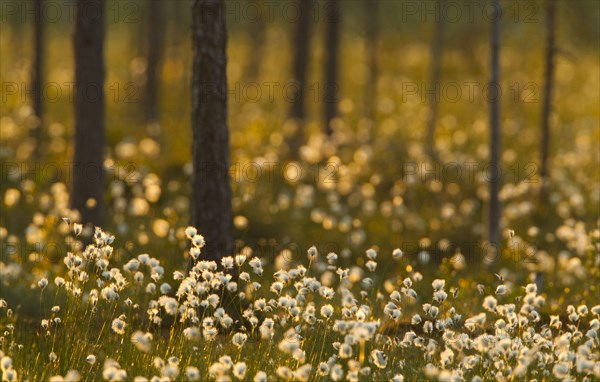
{"x": 37, "y": 76}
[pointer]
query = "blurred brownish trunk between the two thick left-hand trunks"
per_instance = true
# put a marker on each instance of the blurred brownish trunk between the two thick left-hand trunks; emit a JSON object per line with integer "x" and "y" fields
{"x": 155, "y": 36}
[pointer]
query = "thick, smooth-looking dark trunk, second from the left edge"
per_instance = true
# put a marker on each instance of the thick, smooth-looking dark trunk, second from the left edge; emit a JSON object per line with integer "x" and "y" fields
{"x": 88, "y": 173}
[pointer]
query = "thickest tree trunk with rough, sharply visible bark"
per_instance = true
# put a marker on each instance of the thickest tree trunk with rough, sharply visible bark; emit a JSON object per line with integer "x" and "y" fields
{"x": 211, "y": 192}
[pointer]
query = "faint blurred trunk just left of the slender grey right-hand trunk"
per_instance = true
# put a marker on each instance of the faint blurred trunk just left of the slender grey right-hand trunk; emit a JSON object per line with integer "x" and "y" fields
{"x": 434, "y": 79}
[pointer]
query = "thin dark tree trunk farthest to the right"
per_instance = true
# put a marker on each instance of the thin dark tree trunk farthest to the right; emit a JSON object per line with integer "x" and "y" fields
{"x": 547, "y": 102}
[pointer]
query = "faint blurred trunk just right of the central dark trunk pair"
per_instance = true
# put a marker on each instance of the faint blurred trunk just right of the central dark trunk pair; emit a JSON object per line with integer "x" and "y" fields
{"x": 371, "y": 10}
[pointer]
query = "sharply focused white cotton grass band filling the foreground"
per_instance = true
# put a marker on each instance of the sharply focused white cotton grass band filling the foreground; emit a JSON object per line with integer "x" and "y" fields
{"x": 312, "y": 319}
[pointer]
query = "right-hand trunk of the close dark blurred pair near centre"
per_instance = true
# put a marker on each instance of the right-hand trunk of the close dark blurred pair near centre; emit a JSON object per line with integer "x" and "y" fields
{"x": 330, "y": 91}
